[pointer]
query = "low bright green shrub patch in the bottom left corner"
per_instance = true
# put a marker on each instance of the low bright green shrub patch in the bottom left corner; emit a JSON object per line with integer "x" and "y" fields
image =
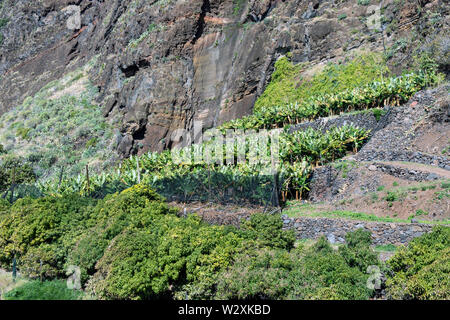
{"x": 47, "y": 290}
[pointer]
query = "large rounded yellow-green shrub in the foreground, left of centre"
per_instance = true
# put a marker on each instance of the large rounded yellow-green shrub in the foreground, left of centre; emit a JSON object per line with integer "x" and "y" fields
{"x": 170, "y": 253}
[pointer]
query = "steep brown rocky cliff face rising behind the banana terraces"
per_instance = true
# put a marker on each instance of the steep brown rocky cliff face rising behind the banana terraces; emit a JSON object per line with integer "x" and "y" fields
{"x": 164, "y": 64}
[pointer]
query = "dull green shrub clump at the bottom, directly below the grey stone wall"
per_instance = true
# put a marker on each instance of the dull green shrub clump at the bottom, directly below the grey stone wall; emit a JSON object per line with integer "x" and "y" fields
{"x": 315, "y": 273}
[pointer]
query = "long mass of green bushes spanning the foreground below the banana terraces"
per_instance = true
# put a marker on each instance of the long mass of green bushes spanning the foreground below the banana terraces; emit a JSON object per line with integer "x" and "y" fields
{"x": 132, "y": 246}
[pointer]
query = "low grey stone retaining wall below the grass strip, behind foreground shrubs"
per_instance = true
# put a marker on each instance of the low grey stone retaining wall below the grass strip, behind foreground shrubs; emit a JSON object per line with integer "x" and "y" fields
{"x": 335, "y": 229}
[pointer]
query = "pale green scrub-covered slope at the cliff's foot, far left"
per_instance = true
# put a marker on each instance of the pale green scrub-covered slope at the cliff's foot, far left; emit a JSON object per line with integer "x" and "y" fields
{"x": 60, "y": 126}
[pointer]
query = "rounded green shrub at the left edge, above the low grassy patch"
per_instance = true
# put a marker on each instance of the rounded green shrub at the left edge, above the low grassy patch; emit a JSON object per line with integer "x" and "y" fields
{"x": 42, "y": 230}
